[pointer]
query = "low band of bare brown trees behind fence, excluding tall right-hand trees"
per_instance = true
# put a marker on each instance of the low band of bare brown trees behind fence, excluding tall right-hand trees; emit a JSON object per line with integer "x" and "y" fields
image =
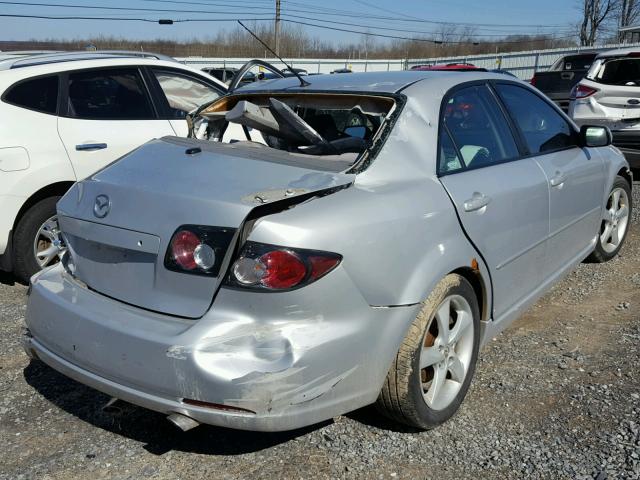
{"x": 295, "y": 42}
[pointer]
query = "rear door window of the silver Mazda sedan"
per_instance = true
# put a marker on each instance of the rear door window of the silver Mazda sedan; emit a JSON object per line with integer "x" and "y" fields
{"x": 478, "y": 128}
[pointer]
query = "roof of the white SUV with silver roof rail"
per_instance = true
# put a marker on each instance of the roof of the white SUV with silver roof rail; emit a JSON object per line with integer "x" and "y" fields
{"x": 13, "y": 60}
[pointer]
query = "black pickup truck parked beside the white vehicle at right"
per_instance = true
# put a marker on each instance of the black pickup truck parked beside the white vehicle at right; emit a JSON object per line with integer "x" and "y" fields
{"x": 558, "y": 82}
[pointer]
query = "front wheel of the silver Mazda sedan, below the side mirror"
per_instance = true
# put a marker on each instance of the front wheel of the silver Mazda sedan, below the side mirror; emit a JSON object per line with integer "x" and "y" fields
{"x": 617, "y": 218}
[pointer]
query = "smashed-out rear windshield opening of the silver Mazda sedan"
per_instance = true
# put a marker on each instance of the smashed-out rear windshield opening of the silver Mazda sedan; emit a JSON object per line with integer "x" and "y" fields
{"x": 343, "y": 126}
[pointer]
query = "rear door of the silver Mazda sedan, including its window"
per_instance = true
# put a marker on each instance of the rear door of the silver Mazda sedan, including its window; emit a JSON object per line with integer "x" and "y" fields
{"x": 502, "y": 199}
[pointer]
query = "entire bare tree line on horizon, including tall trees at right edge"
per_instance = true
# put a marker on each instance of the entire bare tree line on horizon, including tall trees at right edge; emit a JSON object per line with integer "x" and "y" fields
{"x": 600, "y": 21}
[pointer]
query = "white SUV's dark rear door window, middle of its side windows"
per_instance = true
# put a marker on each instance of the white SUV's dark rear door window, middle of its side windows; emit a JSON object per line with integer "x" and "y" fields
{"x": 109, "y": 95}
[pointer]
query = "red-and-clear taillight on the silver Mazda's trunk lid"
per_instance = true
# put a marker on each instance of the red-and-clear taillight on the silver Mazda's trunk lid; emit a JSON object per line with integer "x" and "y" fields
{"x": 198, "y": 249}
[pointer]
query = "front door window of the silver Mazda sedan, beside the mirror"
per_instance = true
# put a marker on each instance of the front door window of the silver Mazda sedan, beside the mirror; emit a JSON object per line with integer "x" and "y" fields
{"x": 542, "y": 127}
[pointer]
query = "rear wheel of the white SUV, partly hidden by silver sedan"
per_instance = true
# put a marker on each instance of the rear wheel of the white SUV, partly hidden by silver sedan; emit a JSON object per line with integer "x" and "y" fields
{"x": 36, "y": 239}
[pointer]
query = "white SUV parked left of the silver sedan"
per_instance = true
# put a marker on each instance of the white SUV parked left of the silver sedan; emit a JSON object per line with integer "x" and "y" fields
{"x": 65, "y": 115}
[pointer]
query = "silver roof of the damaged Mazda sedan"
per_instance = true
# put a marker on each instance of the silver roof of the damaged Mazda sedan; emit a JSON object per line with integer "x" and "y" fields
{"x": 371, "y": 82}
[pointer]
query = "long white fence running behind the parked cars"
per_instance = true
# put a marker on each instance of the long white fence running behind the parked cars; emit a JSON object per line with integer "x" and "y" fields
{"x": 522, "y": 64}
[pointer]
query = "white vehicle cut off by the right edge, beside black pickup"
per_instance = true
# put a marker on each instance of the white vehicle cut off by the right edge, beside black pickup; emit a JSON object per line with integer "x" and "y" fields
{"x": 609, "y": 95}
